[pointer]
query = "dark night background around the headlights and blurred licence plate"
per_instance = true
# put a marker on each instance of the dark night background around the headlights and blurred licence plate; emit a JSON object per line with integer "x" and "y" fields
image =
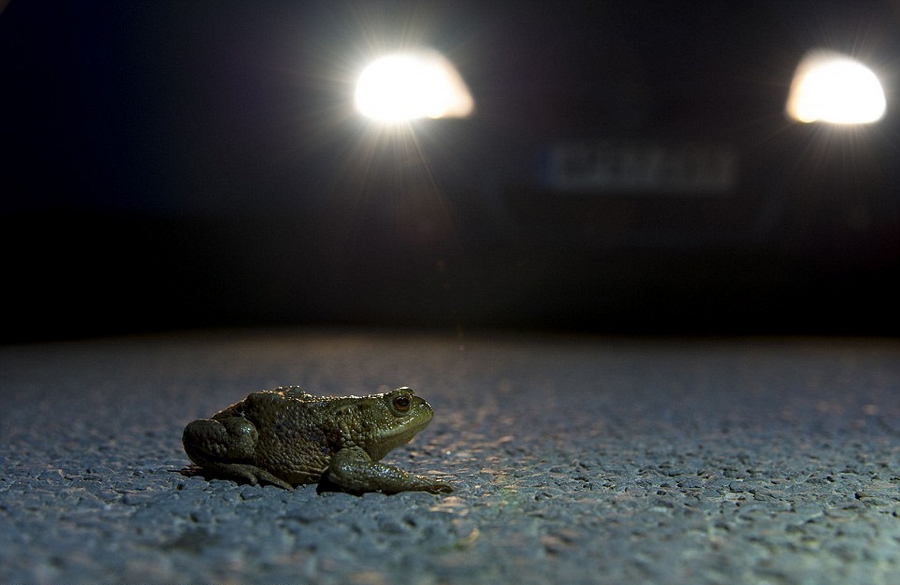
{"x": 180, "y": 164}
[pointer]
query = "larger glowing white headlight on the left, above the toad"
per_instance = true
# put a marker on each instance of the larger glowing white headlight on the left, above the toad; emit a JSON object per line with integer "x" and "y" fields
{"x": 410, "y": 85}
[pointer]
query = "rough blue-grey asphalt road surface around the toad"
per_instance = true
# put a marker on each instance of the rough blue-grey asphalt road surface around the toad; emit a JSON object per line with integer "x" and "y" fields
{"x": 574, "y": 460}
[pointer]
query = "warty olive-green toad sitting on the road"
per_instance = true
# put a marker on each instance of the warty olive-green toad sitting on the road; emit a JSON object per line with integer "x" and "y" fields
{"x": 289, "y": 437}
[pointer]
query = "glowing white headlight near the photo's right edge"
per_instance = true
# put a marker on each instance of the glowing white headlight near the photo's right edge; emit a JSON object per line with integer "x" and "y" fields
{"x": 834, "y": 88}
